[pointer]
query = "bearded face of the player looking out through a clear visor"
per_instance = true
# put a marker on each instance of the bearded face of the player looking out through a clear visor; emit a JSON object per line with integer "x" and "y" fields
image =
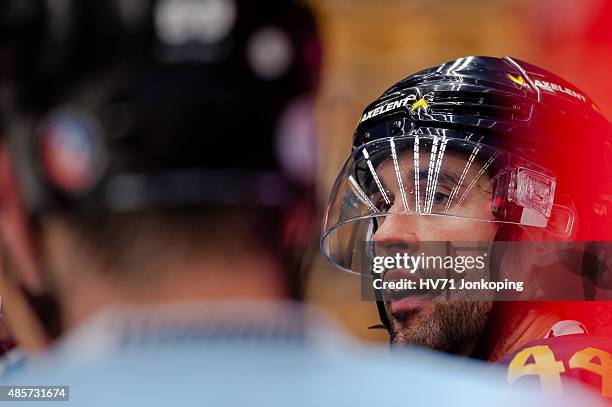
{"x": 418, "y": 318}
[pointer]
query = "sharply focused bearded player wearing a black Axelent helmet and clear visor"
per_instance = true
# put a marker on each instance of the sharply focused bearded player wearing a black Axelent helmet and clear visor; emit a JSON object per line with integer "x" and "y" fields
{"x": 503, "y": 153}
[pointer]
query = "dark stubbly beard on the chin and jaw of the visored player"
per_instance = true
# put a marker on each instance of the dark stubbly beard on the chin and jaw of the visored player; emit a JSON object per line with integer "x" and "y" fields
{"x": 452, "y": 327}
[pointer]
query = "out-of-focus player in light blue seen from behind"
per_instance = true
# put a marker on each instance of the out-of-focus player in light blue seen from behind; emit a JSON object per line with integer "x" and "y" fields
{"x": 155, "y": 189}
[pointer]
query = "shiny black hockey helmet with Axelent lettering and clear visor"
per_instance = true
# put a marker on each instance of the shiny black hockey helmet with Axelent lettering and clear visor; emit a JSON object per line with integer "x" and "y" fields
{"x": 537, "y": 142}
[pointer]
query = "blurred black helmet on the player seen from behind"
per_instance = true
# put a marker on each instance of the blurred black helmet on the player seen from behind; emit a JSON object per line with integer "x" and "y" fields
{"x": 124, "y": 105}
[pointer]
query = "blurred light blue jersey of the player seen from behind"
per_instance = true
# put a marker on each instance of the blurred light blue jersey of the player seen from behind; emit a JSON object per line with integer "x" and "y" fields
{"x": 252, "y": 354}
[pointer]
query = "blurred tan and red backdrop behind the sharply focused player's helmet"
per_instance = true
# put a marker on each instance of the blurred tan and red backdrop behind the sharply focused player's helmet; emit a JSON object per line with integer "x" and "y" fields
{"x": 370, "y": 44}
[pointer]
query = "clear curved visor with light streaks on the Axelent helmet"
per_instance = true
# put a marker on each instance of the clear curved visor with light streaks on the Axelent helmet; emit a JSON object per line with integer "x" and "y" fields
{"x": 442, "y": 178}
